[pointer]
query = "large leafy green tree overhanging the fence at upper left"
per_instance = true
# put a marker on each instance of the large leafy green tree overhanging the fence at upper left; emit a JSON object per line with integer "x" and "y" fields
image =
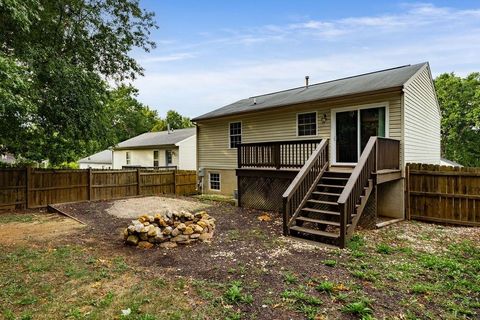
{"x": 55, "y": 58}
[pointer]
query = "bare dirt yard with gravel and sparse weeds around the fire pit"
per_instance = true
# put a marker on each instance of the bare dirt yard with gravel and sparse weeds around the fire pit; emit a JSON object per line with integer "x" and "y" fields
{"x": 398, "y": 272}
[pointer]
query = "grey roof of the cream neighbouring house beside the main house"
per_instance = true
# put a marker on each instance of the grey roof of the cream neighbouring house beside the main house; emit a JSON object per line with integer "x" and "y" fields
{"x": 157, "y": 139}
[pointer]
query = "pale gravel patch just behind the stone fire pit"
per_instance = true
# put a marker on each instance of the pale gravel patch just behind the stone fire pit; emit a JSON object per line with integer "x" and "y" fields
{"x": 134, "y": 207}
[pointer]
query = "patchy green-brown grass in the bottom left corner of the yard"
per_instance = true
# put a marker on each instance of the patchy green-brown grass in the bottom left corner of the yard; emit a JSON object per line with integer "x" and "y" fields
{"x": 45, "y": 278}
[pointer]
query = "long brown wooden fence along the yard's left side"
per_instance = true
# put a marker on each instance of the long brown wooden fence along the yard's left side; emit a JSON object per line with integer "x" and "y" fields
{"x": 35, "y": 188}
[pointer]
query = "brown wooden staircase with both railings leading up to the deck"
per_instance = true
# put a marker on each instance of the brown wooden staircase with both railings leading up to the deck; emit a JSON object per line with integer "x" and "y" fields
{"x": 325, "y": 206}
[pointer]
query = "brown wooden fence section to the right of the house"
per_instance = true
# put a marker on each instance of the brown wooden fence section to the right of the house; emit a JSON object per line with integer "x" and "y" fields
{"x": 443, "y": 194}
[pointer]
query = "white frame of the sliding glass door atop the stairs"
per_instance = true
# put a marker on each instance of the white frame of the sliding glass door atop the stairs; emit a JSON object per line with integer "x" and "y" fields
{"x": 333, "y": 133}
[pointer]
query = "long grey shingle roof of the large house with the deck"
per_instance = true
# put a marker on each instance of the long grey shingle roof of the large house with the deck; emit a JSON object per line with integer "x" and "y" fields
{"x": 368, "y": 82}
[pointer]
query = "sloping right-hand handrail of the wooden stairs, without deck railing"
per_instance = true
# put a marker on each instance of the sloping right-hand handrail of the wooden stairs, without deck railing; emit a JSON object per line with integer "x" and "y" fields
{"x": 362, "y": 172}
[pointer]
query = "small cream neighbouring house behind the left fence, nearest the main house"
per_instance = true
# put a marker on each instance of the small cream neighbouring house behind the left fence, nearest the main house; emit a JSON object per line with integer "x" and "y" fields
{"x": 172, "y": 148}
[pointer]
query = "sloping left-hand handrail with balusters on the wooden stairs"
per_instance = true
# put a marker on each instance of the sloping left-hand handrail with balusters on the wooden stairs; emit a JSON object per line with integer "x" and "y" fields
{"x": 304, "y": 184}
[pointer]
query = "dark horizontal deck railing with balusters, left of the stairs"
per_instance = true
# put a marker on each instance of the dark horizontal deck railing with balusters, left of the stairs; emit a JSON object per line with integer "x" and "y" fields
{"x": 279, "y": 154}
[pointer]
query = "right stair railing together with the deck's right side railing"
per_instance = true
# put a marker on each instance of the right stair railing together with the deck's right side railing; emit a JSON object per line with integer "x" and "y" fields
{"x": 379, "y": 154}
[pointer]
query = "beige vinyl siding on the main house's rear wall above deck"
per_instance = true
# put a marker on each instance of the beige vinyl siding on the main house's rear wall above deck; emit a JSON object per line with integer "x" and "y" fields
{"x": 278, "y": 125}
